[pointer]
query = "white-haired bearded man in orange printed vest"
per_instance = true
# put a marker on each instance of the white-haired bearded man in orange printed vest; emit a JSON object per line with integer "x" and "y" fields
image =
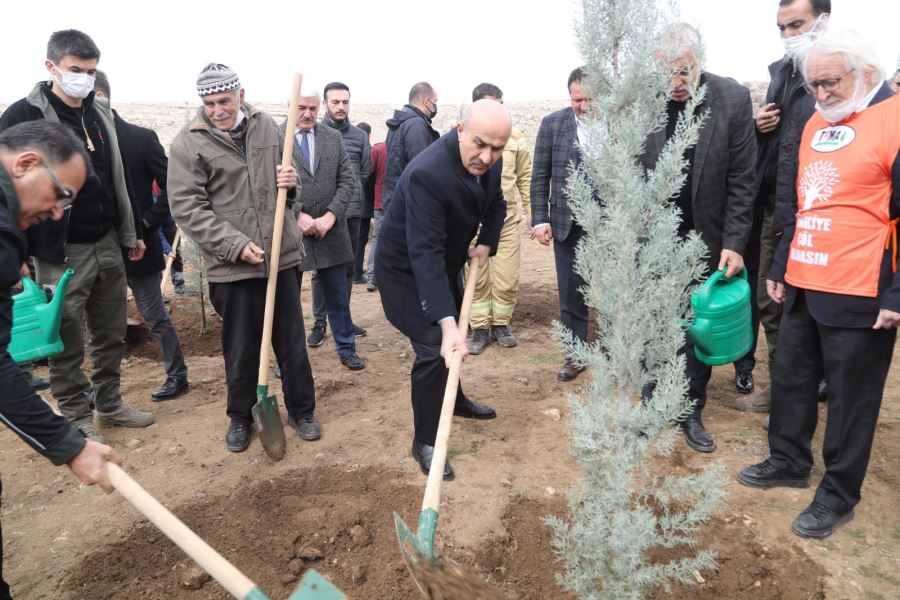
{"x": 835, "y": 273}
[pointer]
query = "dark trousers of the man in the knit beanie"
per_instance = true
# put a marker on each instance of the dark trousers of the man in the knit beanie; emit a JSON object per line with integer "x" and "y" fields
{"x": 241, "y": 305}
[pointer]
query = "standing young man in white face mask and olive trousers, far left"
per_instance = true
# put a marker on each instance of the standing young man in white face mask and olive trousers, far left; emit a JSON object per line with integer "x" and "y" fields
{"x": 101, "y": 225}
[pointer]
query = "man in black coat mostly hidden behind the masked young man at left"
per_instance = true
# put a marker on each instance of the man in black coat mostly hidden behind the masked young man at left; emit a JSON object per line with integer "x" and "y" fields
{"x": 145, "y": 161}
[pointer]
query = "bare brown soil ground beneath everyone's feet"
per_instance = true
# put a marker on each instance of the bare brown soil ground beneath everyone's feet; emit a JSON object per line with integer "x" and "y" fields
{"x": 337, "y": 495}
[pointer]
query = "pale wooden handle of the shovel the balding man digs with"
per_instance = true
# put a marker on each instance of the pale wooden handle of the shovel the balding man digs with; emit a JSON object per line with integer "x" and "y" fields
{"x": 432, "y": 497}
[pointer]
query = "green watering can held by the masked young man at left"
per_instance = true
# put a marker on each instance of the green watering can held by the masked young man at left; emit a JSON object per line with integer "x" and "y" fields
{"x": 35, "y": 332}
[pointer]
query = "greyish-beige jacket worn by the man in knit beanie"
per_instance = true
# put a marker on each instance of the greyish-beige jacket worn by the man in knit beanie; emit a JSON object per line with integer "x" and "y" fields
{"x": 223, "y": 199}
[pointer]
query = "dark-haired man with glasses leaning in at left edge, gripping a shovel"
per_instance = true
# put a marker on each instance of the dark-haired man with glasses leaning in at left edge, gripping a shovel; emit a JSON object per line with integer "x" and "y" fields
{"x": 42, "y": 167}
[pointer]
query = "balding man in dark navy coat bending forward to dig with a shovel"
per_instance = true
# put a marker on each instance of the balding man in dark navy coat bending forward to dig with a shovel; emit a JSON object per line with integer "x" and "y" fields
{"x": 444, "y": 194}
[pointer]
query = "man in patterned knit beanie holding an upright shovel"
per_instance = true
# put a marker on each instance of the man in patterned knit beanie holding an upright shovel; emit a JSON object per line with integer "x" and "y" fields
{"x": 223, "y": 181}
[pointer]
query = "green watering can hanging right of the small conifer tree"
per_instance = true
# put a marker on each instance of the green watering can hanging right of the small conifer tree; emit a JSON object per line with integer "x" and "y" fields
{"x": 722, "y": 330}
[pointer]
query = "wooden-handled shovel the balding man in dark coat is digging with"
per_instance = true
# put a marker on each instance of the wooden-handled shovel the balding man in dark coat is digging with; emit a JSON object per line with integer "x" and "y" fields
{"x": 434, "y": 577}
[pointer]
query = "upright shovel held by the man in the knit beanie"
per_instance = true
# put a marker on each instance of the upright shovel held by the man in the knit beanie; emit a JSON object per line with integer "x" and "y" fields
{"x": 265, "y": 412}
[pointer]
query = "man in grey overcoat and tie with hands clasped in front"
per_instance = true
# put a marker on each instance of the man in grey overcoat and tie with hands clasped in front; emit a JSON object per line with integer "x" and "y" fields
{"x": 328, "y": 184}
